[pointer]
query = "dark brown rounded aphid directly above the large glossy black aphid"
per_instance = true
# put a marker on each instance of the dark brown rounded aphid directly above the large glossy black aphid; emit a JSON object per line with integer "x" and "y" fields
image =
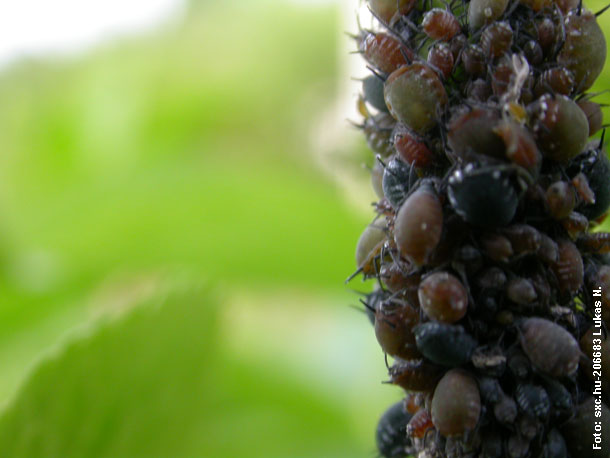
{"x": 472, "y": 132}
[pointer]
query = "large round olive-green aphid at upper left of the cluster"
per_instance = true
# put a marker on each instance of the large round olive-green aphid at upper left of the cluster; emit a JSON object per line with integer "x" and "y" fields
{"x": 414, "y": 95}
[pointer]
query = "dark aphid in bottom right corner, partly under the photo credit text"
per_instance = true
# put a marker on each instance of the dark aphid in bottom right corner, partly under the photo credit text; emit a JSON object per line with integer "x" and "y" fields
{"x": 578, "y": 430}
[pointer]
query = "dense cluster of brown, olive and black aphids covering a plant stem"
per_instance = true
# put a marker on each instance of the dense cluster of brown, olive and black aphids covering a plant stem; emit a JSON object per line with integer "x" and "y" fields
{"x": 482, "y": 250}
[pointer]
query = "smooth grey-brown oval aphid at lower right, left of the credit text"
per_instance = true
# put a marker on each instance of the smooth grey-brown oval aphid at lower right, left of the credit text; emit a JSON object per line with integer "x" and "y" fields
{"x": 551, "y": 349}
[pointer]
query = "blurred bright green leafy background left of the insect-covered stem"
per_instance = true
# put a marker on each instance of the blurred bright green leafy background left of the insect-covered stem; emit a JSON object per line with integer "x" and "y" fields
{"x": 172, "y": 252}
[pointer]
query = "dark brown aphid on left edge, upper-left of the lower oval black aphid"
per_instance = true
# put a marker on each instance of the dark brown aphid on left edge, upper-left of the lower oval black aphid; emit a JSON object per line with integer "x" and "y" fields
{"x": 394, "y": 330}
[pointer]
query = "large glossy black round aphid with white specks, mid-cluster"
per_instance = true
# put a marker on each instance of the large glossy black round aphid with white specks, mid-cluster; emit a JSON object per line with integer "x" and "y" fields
{"x": 483, "y": 197}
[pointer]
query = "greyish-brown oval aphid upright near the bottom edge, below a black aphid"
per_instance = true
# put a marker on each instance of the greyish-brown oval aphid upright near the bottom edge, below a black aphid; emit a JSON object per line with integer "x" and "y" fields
{"x": 456, "y": 404}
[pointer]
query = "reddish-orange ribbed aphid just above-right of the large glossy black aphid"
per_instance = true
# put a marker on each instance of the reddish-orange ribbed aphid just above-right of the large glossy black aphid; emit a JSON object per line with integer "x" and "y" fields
{"x": 520, "y": 145}
